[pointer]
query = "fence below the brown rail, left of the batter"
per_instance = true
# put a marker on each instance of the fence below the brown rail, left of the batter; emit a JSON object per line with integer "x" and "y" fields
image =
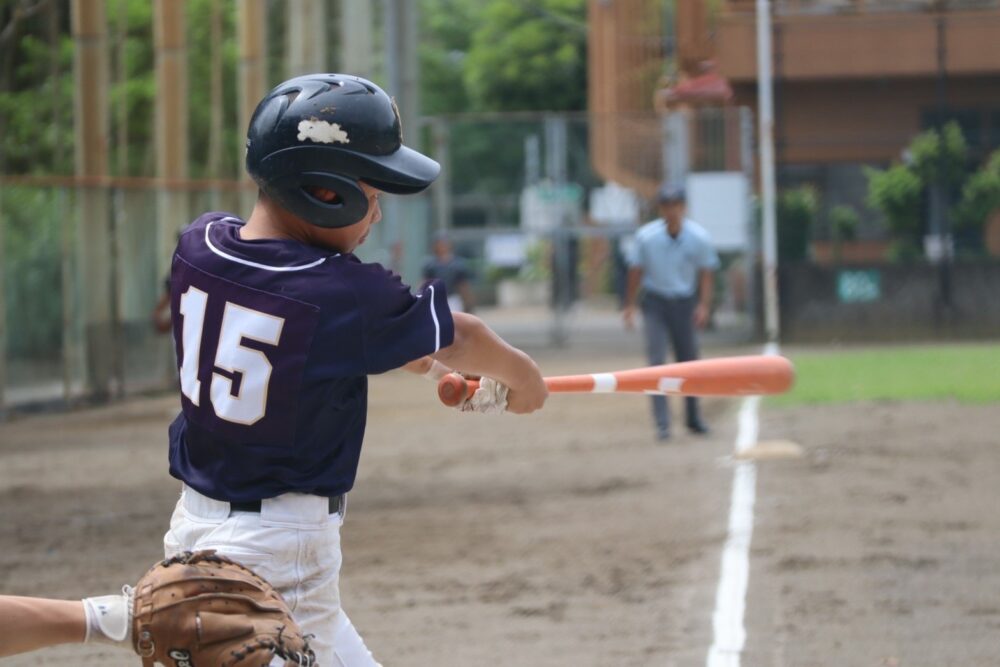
{"x": 52, "y": 342}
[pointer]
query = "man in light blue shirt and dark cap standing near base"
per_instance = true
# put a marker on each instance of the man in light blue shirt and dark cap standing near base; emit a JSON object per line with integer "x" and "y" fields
{"x": 672, "y": 259}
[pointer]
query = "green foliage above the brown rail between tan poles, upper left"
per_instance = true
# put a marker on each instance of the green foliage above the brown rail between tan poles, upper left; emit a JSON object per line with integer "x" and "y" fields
{"x": 36, "y": 109}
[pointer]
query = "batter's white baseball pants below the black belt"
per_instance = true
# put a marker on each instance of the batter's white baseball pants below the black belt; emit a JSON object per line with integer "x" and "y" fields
{"x": 294, "y": 543}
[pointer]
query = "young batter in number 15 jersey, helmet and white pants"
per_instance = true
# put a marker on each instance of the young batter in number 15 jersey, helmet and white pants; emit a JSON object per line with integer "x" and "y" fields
{"x": 277, "y": 326}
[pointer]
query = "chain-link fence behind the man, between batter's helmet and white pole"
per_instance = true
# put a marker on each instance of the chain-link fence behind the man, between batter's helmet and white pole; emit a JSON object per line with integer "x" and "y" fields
{"x": 543, "y": 206}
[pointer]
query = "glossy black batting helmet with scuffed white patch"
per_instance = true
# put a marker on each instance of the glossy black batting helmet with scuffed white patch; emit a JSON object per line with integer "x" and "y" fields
{"x": 331, "y": 131}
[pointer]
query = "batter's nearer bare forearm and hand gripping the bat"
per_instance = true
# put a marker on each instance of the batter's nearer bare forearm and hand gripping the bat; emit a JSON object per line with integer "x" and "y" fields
{"x": 476, "y": 349}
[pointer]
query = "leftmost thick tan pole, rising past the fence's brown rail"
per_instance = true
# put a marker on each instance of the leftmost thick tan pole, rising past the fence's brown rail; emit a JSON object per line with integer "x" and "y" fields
{"x": 91, "y": 127}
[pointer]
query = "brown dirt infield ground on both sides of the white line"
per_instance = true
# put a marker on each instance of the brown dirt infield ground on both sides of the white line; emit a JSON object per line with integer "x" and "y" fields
{"x": 571, "y": 537}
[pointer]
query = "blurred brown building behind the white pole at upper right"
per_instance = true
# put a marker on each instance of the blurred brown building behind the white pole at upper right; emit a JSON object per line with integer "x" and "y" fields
{"x": 855, "y": 80}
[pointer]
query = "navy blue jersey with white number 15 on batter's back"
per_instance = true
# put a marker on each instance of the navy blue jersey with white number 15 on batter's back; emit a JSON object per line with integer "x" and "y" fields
{"x": 274, "y": 341}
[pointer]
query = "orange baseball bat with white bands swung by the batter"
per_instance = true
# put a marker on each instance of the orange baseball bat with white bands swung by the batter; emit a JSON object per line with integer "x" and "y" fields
{"x": 724, "y": 376}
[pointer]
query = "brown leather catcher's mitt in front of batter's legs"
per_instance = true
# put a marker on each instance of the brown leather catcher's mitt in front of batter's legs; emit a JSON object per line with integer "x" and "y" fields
{"x": 200, "y": 609}
